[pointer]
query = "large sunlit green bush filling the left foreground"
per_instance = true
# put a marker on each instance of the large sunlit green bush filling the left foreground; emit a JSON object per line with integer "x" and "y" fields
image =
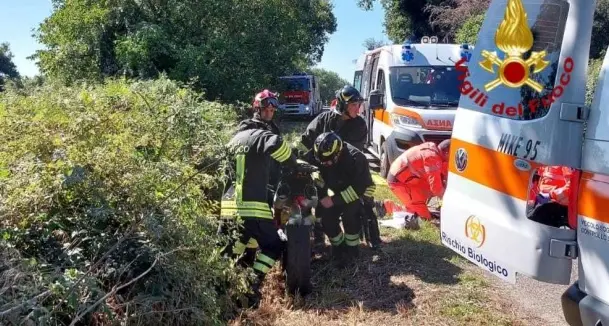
{"x": 111, "y": 169}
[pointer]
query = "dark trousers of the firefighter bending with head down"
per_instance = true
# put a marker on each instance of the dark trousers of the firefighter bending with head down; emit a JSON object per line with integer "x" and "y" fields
{"x": 331, "y": 217}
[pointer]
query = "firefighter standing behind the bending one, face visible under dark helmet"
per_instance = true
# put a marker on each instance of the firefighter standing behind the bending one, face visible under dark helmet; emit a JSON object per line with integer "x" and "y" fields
{"x": 351, "y": 128}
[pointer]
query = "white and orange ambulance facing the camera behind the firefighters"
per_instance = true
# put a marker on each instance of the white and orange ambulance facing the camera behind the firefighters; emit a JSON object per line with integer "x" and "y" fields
{"x": 412, "y": 92}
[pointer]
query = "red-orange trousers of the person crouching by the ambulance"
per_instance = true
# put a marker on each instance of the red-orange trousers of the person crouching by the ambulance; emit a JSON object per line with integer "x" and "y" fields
{"x": 413, "y": 196}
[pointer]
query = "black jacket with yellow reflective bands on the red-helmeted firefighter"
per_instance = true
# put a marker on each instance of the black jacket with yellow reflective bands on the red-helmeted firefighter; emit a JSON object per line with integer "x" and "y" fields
{"x": 252, "y": 150}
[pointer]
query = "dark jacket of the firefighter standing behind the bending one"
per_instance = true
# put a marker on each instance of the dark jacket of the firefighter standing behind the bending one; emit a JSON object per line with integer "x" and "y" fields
{"x": 353, "y": 131}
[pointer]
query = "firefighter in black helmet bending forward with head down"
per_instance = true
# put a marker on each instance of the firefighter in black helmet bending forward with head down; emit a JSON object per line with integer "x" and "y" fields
{"x": 344, "y": 169}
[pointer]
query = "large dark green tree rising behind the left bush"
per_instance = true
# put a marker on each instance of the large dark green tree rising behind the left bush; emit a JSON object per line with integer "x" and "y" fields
{"x": 230, "y": 49}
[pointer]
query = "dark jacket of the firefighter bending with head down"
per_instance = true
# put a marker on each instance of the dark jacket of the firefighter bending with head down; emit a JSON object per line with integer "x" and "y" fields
{"x": 349, "y": 178}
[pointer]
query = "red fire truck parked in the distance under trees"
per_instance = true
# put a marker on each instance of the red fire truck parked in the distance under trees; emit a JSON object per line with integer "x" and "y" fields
{"x": 299, "y": 95}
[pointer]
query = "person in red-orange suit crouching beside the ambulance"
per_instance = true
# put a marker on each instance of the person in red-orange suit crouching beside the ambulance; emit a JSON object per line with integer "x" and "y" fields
{"x": 419, "y": 174}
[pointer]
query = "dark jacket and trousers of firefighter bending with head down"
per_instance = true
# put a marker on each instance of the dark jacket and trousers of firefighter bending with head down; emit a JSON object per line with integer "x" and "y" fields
{"x": 348, "y": 178}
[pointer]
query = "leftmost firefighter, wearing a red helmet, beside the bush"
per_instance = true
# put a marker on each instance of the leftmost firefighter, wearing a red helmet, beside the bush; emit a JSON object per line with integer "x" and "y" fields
{"x": 254, "y": 147}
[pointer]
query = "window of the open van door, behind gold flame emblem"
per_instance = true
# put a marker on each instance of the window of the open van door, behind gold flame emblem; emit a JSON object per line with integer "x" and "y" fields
{"x": 547, "y": 22}
